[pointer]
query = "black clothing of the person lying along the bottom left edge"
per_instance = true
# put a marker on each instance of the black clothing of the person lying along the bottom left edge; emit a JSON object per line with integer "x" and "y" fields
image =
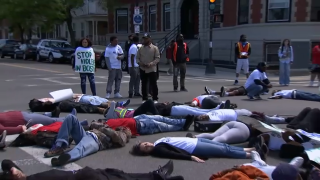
{"x": 97, "y": 174}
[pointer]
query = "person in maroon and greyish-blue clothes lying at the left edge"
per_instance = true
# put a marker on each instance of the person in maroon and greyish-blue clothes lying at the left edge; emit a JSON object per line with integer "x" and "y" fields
{"x": 16, "y": 122}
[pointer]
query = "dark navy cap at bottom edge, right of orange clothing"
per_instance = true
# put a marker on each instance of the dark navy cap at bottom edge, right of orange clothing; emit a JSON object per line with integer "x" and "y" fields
{"x": 285, "y": 171}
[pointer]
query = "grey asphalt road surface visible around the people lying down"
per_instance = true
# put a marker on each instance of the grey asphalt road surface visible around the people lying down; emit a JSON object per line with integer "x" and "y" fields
{"x": 23, "y": 80}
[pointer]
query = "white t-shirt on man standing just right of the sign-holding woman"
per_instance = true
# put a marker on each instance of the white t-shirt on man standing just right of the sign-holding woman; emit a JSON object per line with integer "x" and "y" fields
{"x": 112, "y": 52}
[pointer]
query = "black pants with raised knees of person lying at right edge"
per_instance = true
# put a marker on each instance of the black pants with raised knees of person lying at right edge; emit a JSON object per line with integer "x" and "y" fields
{"x": 307, "y": 120}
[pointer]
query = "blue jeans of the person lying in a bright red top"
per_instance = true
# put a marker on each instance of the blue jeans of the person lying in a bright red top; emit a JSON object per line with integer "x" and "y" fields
{"x": 151, "y": 124}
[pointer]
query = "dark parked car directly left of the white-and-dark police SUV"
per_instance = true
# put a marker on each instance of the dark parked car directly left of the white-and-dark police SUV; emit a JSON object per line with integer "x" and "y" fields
{"x": 26, "y": 51}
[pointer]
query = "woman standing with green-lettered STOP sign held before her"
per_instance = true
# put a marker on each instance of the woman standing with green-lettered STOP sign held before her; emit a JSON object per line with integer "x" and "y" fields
{"x": 85, "y": 65}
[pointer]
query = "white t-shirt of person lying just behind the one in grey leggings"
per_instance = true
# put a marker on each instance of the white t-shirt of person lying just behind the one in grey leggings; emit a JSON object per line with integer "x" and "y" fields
{"x": 222, "y": 115}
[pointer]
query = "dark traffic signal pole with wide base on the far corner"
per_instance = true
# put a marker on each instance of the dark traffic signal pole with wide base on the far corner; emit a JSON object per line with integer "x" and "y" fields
{"x": 210, "y": 68}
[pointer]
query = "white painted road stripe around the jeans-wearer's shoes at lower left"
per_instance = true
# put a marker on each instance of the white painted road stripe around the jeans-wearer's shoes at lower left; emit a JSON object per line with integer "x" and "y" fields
{"x": 38, "y": 152}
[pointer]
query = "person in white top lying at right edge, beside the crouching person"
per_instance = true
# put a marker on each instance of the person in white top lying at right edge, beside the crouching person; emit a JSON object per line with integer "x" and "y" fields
{"x": 295, "y": 94}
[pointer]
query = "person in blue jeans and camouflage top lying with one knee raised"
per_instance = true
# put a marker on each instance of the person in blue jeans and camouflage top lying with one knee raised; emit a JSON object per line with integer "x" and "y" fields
{"x": 87, "y": 142}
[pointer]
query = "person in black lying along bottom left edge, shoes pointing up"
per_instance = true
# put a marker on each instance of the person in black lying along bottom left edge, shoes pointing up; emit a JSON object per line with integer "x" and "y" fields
{"x": 12, "y": 172}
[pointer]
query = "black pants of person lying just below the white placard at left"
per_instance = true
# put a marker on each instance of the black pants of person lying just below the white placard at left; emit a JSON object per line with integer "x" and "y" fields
{"x": 68, "y": 105}
